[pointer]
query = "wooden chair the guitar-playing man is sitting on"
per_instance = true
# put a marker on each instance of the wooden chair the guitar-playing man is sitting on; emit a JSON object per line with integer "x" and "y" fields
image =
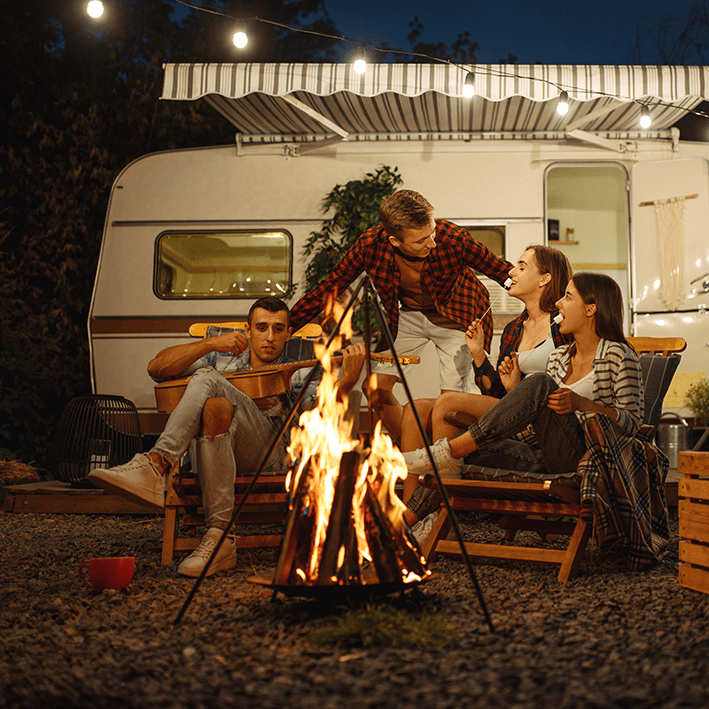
{"x": 266, "y": 504}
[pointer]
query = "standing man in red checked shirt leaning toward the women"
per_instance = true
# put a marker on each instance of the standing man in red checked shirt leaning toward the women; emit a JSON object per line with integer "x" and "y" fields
{"x": 429, "y": 267}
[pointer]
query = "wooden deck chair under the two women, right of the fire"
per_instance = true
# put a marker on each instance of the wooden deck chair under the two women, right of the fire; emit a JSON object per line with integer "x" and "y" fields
{"x": 548, "y": 505}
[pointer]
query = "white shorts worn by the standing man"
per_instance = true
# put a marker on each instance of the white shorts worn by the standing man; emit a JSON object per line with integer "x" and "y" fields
{"x": 415, "y": 332}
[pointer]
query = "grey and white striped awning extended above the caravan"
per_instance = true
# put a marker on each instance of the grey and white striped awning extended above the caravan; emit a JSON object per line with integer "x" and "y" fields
{"x": 302, "y": 102}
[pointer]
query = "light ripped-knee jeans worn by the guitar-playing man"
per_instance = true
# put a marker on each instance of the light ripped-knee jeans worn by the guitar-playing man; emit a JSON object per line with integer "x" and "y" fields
{"x": 250, "y": 434}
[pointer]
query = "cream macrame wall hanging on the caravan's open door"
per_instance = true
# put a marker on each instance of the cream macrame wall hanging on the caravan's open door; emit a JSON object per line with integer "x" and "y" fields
{"x": 670, "y": 248}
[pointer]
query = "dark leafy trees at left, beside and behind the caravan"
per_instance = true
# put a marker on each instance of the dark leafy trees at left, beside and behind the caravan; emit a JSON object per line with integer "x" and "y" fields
{"x": 81, "y": 102}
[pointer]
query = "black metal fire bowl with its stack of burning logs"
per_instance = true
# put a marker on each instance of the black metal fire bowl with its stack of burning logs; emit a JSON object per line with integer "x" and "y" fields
{"x": 345, "y": 533}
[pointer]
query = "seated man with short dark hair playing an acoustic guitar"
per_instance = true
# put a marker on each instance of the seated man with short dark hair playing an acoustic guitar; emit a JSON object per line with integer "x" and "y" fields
{"x": 223, "y": 427}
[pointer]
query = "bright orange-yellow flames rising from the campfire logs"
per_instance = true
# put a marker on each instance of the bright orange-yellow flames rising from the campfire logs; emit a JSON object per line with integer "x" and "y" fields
{"x": 317, "y": 445}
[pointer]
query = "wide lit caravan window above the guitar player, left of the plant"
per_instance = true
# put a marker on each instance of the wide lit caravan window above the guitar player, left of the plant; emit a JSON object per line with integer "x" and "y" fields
{"x": 243, "y": 264}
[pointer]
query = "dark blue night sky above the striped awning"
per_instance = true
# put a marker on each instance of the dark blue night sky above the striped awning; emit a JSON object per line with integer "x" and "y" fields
{"x": 545, "y": 31}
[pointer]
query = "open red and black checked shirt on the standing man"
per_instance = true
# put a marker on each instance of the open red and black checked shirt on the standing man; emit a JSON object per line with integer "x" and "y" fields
{"x": 448, "y": 274}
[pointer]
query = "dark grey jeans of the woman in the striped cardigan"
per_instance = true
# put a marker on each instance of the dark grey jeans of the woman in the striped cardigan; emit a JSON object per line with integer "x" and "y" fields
{"x": 561, "y": 437}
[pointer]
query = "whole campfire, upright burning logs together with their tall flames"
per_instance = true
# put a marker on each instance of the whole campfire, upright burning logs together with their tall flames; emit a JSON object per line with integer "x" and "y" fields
{"x": 345, "y": 524}
